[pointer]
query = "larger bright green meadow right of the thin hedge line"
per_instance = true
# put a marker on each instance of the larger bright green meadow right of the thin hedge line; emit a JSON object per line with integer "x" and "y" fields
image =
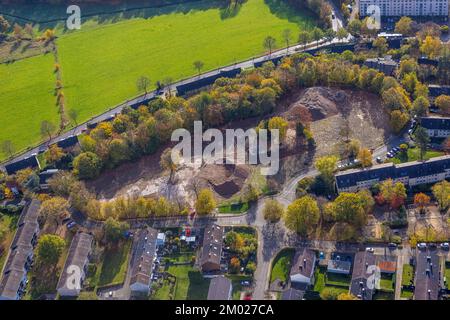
{"x": 101, "y": 62}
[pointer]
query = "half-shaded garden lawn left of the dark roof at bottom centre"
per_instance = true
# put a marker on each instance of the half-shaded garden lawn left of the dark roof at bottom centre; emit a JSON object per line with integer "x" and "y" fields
{"x": 190, "y": 283}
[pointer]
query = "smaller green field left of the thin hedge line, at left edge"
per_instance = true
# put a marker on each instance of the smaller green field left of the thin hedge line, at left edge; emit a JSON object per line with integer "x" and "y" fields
{"x": 26, "y": 99}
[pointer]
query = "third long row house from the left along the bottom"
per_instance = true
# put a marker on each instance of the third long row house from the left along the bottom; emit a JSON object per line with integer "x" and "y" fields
{"x": 143, "y": 261}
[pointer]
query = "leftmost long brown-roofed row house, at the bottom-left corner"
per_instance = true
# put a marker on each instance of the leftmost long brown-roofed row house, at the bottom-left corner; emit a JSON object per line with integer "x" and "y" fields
{"x": 14, "y": 274}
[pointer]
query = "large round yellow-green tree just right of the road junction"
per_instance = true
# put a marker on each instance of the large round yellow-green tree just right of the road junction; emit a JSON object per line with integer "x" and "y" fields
{"x": 303, "y": 215}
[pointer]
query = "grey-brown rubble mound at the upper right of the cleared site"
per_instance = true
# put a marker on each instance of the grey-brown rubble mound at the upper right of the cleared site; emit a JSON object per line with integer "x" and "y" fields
{"x": 320, "y": 101}
